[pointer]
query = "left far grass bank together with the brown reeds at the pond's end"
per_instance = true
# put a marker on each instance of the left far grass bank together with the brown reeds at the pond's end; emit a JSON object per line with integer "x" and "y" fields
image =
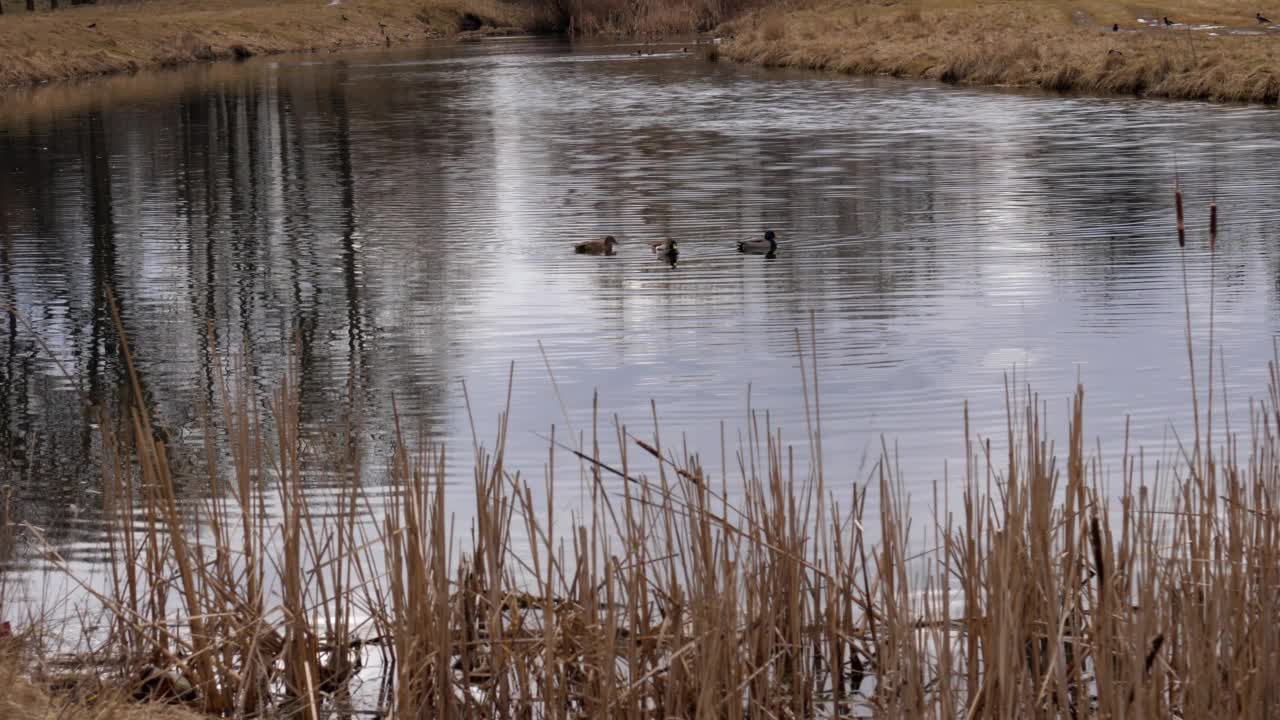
{"x": 98, "y": 40}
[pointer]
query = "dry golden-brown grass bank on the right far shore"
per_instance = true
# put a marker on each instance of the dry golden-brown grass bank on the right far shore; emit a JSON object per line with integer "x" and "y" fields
{"x": 1048, "y": 44}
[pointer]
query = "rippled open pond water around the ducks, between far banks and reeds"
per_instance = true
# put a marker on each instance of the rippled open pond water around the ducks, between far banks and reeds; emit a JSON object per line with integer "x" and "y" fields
{"x": 404, "y": 222}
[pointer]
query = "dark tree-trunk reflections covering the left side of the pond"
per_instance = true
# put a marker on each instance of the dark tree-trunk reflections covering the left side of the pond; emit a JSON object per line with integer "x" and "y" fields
{"x": 252, "y": 238}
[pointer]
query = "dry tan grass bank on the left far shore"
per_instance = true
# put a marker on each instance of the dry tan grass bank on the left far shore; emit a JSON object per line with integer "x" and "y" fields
{"x": 89, "y": 40}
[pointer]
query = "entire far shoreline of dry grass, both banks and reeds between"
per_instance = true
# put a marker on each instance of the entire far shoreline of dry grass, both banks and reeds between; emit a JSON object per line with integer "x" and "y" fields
{"x": 1217, "y": 52}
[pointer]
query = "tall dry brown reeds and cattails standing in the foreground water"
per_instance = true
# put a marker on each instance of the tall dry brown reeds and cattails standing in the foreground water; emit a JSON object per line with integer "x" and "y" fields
{"x": 1053, "y": 587}
